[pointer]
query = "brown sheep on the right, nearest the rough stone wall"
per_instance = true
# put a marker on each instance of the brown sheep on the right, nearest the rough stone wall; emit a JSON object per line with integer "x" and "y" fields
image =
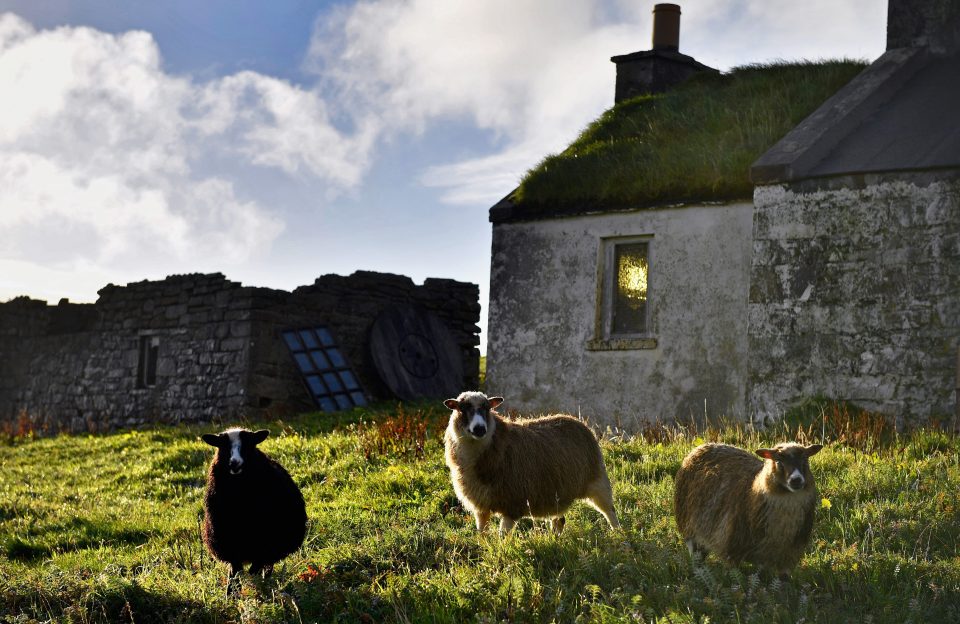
{"x": 729, "y": 502}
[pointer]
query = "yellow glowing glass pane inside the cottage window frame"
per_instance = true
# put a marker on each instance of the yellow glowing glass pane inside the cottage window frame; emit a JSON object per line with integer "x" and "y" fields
{"x": 629, "y": 309}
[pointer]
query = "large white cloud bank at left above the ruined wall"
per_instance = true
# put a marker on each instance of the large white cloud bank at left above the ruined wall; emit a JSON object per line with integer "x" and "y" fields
{"x": 104, "y": 157}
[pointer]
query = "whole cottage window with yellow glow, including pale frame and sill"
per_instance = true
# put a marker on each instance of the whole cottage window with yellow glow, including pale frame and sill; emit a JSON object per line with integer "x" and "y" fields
{"x": 622, "y": 317}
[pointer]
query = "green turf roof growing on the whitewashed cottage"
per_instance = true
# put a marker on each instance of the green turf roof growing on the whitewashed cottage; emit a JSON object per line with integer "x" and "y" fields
{"x": 694, "y": 143}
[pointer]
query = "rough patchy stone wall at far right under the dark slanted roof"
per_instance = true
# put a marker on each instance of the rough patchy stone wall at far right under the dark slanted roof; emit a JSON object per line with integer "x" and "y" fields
{"x": 855, "y": 294}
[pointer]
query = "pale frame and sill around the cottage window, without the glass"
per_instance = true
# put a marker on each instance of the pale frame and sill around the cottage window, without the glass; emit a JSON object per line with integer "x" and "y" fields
{"x": 604, "y": 339}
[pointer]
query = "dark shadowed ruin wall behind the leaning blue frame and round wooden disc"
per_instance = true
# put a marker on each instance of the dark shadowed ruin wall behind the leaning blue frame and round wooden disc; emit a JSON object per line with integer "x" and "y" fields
{"x": 349, "y": 306}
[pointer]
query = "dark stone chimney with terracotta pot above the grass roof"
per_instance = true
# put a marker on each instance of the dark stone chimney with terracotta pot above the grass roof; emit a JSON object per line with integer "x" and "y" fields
{"x": 656, "y": 70}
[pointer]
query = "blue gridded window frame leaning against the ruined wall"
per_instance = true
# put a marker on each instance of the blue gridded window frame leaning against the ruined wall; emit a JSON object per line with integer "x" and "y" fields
{"x": 324, "y": 369}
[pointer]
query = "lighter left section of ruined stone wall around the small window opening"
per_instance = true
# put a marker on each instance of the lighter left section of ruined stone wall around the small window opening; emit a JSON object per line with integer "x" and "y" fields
{"x": 87, "y": 378}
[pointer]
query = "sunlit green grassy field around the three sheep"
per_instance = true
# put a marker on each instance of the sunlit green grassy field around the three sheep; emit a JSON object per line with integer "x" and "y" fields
{"x": 105, "y": 528}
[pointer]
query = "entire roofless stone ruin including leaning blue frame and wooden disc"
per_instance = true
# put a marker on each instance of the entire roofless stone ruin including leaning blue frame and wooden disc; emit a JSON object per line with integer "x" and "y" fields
{"x": 203, "y": 348}
